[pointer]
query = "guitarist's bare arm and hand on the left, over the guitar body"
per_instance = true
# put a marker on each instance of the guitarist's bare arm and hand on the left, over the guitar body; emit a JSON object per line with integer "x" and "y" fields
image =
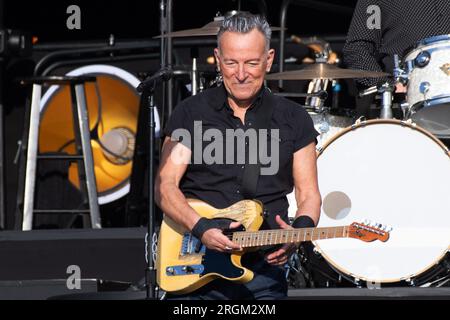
{"x": 168, "y": 196}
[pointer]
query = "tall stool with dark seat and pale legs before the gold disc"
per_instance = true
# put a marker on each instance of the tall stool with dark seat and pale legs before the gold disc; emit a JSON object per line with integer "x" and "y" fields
{"x": 83, "y": 157}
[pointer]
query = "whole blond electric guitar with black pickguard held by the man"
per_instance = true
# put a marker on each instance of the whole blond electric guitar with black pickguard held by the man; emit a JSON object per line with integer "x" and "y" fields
{"x": 184, "y": 264}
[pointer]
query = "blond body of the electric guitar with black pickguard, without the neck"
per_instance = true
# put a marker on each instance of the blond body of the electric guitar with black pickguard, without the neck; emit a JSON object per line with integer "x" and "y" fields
{"x": 184, "y": 264}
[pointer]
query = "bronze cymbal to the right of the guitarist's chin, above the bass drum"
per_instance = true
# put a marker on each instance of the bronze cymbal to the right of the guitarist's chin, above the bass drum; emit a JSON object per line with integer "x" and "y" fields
{"x": 324, "y": 71}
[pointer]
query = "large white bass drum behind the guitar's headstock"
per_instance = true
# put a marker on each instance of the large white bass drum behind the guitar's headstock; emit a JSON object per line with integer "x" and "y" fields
{"x": 396, "y": 174}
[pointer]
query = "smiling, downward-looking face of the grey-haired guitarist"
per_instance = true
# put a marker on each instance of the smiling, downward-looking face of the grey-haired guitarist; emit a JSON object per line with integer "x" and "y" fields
{"x": 243, "y": 61}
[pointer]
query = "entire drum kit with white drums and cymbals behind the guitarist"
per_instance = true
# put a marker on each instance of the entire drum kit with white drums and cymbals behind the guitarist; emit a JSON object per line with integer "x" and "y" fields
{"x": 395, "y": 171}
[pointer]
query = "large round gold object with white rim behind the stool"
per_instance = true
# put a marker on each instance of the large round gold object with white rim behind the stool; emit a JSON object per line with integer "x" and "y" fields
{"x": 119, "y": 113}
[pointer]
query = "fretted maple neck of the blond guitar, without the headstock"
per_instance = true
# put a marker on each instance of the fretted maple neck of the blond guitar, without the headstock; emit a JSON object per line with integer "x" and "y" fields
{"x": 272, "y": 237}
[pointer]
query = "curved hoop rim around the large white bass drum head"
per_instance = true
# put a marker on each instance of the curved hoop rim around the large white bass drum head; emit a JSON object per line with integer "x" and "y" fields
{"x": 355, "y": 126}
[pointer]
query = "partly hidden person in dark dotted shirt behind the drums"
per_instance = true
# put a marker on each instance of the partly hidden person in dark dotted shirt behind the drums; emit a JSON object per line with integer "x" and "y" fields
{"x": 382, "y": 28}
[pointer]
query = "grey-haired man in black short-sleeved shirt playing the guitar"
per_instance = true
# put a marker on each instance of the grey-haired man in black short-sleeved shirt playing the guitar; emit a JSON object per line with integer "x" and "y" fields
{"x": 243, "y": 58}
